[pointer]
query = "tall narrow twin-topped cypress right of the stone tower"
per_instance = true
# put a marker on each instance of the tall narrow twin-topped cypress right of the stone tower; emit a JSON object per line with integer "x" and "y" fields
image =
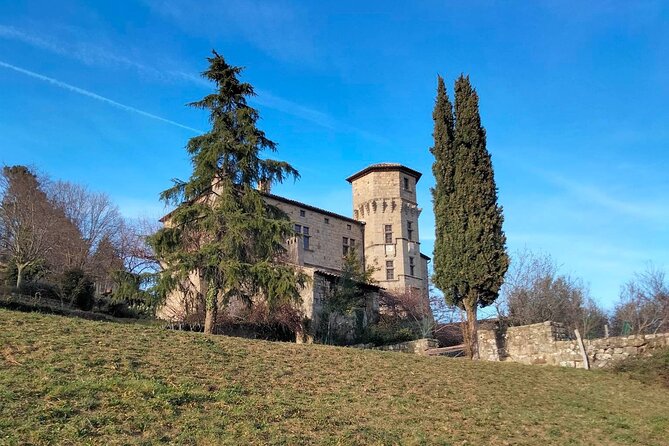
{"x": 470, "y": 247}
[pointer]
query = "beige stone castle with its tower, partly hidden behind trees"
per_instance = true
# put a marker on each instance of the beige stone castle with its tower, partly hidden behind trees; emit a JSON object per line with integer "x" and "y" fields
{"x": 383, "y": 232}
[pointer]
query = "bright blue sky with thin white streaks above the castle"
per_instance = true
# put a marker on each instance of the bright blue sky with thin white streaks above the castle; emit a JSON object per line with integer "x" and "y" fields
{"x": 573, "y": 96}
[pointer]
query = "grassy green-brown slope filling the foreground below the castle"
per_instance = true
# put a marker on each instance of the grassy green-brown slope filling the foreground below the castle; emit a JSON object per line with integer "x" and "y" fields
{"x": 70, "y": 381}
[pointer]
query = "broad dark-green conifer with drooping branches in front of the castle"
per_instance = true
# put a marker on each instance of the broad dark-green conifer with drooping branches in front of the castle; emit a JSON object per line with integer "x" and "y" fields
{"x": 223, "y": 233}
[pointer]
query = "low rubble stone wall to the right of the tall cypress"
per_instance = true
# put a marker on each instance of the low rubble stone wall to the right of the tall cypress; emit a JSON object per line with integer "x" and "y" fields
{"x": 550, "y": 343}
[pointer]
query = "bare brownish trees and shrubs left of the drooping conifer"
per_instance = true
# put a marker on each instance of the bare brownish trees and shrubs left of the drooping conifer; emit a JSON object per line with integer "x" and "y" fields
{"x": 60, "y": 241}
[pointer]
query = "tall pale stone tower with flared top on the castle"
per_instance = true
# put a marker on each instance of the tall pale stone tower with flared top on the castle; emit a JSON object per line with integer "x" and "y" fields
{"x": 384, "y": 198}
